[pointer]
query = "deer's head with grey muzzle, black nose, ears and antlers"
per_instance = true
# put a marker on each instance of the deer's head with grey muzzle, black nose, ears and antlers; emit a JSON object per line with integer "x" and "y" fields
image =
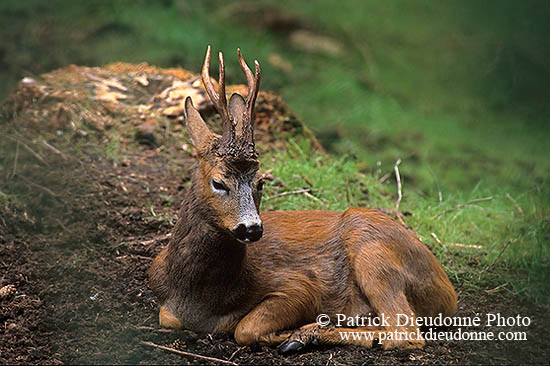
{"x": 227, "y": 179}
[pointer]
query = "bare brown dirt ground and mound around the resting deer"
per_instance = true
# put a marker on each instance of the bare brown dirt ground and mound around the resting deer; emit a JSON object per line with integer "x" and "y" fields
{"x": 94, "y": 207}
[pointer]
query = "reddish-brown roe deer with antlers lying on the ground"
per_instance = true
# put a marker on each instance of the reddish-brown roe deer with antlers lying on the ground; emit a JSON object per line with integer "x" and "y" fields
{"x": 266, "y": 277}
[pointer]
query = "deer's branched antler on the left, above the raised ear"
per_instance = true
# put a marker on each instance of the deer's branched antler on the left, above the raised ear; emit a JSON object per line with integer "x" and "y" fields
{"x": 218, "y": 99}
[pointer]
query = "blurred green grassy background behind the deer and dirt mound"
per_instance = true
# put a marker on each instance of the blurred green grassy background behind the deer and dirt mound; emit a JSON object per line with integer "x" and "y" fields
{"x": 458, "y": 90}
